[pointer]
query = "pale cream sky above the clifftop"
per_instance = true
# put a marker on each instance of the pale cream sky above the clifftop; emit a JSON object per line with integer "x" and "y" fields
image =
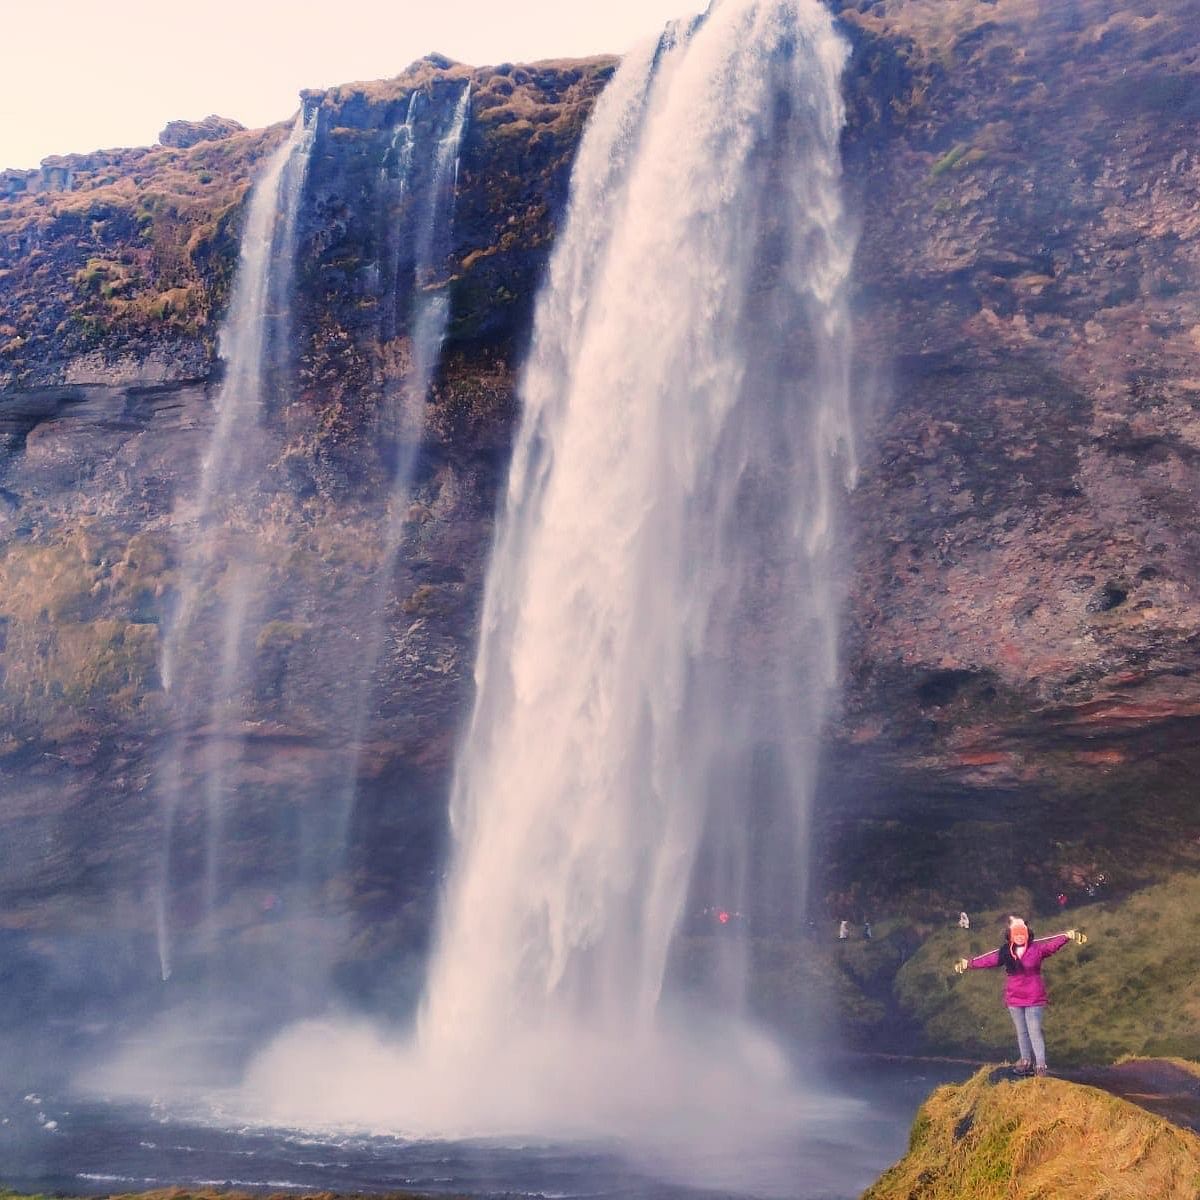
{"x": 87, "y": 75}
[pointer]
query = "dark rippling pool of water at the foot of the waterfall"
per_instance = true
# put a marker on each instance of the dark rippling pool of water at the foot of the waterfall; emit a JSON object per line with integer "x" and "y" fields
{"x": 53, "y": 1143}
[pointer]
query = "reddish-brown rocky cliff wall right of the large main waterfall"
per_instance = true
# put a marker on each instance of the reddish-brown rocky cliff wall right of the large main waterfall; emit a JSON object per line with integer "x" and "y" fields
{"x": 1022, "y": 647}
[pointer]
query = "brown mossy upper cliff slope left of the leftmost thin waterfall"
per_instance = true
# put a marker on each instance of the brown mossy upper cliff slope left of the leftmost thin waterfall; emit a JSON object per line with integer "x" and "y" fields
{"x": 136, "y": 250}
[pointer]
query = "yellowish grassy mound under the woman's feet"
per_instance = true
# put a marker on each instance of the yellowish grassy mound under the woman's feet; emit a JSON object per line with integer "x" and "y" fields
{"x": 1040, "y": 1139}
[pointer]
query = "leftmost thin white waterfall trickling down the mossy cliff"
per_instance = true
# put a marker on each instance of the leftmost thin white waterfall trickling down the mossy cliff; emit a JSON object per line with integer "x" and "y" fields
{"x": 218, "y": 555}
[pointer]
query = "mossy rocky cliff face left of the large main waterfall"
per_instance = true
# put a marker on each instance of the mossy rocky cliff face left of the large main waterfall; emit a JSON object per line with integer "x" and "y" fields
{"x": 112, "y": 296}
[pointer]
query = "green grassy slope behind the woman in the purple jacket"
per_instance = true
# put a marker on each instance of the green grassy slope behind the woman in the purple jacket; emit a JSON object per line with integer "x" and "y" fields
{"x": 1133, "y": 991}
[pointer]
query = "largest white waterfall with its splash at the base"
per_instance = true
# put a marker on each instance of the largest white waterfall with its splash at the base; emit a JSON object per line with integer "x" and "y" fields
{"x": 659, "y": 629}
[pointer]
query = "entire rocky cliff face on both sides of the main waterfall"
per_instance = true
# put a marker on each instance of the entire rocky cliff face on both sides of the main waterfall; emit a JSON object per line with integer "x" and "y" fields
{"x": 1022, "y": 650}
